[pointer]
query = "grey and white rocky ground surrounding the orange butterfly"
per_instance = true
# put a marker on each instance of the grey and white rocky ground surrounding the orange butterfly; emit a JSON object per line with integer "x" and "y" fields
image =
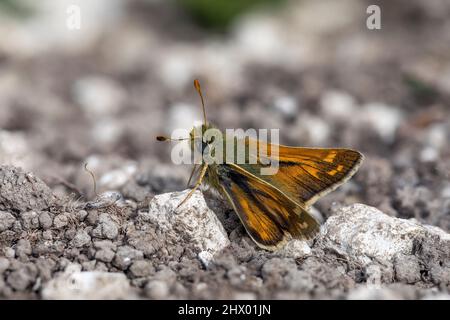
{"x": 313, "y": 70}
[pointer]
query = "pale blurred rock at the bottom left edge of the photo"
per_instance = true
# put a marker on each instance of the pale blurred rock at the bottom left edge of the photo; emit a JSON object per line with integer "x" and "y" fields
{"x": 73, "y": 284}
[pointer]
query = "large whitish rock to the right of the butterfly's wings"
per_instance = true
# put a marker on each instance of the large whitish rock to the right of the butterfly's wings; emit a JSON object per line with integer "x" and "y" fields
{"x": 365, "y": 233}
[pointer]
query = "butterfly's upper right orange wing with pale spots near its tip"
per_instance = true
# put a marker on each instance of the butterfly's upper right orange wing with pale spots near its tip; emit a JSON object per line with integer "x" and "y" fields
{"x": 305, "y": 174}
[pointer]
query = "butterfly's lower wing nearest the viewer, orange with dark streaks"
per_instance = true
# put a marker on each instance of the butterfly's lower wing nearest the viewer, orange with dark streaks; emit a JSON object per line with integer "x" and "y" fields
{"x": 269, "y": 217}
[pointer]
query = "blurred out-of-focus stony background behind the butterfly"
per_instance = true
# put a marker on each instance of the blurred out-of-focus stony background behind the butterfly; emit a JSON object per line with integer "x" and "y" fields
{"x": 101, "y": 93}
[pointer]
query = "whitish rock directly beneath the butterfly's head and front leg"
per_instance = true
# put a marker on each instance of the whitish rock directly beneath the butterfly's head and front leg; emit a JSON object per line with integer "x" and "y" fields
{"x": 193, "y": 224}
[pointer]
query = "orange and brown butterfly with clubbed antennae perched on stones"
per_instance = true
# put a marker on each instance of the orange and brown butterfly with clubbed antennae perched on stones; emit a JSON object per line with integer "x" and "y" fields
{"x": 272, "y": 208}
